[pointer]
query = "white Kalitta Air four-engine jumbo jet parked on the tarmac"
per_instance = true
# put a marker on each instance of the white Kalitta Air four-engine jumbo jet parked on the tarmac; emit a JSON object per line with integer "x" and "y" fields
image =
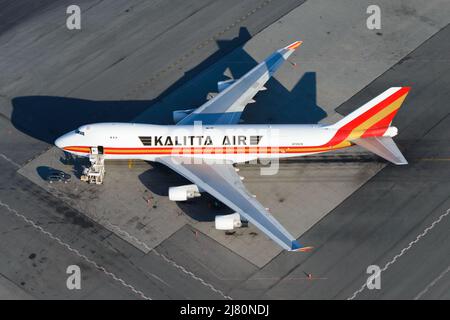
{"x": 206, "y": 142}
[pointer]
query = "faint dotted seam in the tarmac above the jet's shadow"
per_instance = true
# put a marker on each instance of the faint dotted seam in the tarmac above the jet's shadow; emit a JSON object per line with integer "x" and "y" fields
{"x": 200, "y": 46}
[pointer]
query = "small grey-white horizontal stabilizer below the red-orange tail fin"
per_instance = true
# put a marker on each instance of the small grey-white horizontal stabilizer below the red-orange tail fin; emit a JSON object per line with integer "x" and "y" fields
{"x": 385, "y": 147}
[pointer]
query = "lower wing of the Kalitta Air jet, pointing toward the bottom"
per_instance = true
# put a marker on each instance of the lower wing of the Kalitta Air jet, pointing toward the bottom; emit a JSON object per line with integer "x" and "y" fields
{"x": 222, "y": 182}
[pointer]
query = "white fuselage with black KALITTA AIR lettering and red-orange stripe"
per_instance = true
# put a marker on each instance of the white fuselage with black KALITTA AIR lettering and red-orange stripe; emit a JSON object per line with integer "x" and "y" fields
{"x": 236, "y": 143}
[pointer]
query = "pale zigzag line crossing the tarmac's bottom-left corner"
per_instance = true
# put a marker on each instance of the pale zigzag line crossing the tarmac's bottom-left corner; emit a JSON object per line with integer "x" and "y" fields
{"x": 75, "y": 251}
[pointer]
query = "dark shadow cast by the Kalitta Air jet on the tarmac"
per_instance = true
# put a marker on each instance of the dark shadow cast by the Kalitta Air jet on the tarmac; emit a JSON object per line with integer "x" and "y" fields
{"x": 46, "y": 117}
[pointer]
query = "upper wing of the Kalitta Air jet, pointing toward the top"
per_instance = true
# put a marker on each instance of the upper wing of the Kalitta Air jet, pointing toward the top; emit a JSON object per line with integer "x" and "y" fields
{"x": 228, "y": 105}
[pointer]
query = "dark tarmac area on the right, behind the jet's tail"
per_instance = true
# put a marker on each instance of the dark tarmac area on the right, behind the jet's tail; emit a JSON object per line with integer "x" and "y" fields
{"x": 399, "y": 220}
